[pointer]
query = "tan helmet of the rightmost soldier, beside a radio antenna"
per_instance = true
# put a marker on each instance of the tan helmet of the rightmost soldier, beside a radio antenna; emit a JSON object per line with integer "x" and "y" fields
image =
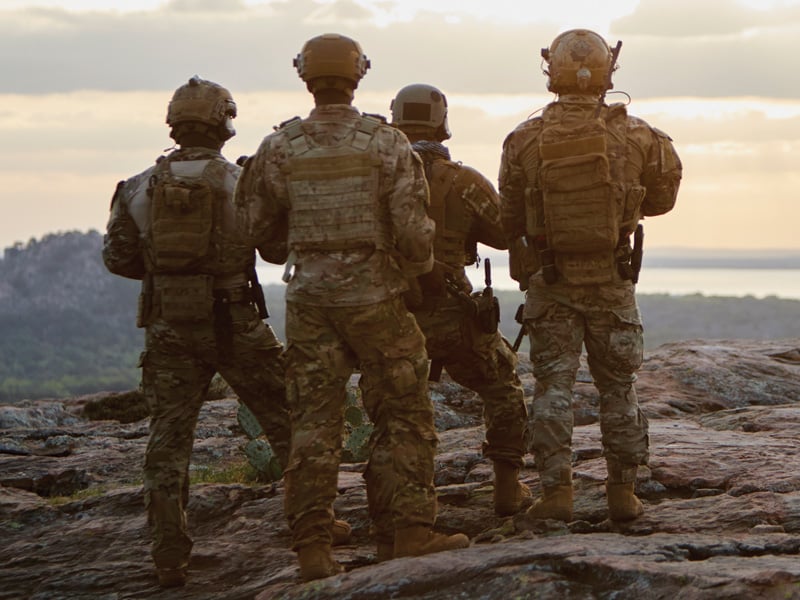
{"x": 578, "y": 61}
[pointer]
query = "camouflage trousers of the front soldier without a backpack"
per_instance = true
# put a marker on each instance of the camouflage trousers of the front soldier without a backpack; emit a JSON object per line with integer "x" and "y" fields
{"x": 324, "y": 346}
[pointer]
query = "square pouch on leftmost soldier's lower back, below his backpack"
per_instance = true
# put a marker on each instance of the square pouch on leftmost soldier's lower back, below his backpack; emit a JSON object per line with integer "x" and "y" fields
{"x": 185, "y": 298}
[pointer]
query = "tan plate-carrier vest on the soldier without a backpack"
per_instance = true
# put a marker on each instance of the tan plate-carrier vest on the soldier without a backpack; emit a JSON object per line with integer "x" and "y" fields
{"x": 334, "y": 191}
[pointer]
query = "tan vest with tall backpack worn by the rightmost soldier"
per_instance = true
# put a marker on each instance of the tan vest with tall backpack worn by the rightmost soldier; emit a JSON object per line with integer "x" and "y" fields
{"x": 580, "y": 210}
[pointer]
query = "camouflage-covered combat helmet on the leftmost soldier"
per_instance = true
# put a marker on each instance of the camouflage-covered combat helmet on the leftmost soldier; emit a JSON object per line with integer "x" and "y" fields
{"x": 202, "y": 101}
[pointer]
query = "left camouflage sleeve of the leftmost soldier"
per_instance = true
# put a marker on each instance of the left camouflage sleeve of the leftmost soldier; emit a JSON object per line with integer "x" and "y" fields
{"x": 122, "y": 246}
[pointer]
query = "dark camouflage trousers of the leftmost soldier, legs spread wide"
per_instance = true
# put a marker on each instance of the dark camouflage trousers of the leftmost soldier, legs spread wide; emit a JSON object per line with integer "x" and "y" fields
{"x": 178, "y": 364}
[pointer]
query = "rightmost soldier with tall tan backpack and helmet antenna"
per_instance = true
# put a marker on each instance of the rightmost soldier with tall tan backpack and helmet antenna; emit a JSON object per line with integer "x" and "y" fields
{"x": 574, "y": 184}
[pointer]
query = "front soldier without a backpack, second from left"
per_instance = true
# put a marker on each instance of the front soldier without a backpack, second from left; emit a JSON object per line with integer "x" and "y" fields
{"x": 345, "y": 196}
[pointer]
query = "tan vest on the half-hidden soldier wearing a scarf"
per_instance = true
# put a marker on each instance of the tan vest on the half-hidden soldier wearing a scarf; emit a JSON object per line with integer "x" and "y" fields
{"x": 448, "y": 187}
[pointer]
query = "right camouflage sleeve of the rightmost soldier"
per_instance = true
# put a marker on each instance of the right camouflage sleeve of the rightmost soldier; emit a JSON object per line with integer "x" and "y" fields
{"x": 661, "y": 176}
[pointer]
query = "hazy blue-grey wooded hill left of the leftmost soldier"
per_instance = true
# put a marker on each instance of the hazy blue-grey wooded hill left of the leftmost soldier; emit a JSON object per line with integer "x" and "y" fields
{"x": 67, "y": 324}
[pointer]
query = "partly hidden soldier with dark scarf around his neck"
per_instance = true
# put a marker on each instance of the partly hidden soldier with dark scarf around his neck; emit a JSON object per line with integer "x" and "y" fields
{"x": 460, "y": 328}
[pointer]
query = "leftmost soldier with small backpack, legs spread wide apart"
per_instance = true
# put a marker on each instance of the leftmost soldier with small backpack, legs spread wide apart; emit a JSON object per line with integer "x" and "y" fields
{"x": 173, "y": 227}
